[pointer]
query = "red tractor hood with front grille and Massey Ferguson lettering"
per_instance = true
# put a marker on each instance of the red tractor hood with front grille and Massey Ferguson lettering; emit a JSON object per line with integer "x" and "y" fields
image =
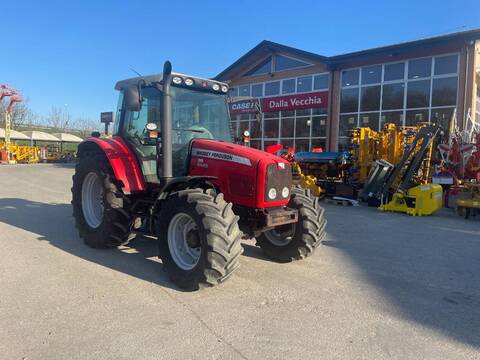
{"x": 242, "y": 174}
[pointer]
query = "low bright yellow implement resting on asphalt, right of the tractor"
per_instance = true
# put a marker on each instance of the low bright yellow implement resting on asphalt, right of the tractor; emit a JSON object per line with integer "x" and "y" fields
{"x": 420, "y": 200}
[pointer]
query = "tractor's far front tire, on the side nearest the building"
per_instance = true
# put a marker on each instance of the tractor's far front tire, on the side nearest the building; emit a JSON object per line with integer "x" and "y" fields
{"x": 296, "y": 241}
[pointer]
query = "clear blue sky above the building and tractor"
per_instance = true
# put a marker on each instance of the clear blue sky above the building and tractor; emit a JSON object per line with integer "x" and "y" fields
{"x": 72, "y": 52}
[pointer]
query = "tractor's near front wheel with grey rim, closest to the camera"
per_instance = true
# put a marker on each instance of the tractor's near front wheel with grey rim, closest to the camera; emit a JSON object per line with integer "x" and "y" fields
{"x": 199, "y": 238}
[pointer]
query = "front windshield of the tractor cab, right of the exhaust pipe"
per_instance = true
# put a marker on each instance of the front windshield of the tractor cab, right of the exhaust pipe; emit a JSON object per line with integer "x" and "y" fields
{"x": 199, "y": 115}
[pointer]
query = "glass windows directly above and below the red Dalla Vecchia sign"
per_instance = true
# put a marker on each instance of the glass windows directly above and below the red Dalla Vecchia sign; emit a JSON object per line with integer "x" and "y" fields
{"x": 303, "y": 129}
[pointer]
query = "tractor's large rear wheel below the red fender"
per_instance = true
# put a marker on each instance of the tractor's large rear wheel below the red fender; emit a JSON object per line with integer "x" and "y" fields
{"x": 100, "y": 209}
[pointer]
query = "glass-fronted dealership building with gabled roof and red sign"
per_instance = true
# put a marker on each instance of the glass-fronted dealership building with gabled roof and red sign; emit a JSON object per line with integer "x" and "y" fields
{"x": 309, "y": 100}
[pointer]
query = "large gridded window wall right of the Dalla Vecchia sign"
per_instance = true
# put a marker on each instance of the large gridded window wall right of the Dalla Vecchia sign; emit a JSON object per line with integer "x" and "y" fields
{"x": 405, "y": 93}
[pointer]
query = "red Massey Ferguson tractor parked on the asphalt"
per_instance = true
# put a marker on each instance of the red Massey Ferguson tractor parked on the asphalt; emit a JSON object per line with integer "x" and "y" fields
{"x": 171, "y": 171}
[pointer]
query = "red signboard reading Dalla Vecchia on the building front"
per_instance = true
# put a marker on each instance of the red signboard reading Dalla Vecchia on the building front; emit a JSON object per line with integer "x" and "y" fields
{"x": 317, "y": 99}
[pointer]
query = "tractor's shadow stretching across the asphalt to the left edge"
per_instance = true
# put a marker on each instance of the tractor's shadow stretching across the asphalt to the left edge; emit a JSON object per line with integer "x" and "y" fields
{"x": 54, "y": 223}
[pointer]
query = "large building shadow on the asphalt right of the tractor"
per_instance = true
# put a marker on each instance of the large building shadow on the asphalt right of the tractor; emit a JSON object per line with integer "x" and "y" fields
{"x": 427, "y": 268}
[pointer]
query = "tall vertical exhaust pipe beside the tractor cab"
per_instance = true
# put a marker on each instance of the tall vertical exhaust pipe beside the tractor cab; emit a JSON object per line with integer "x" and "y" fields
{"x": 167, "y": 122}
